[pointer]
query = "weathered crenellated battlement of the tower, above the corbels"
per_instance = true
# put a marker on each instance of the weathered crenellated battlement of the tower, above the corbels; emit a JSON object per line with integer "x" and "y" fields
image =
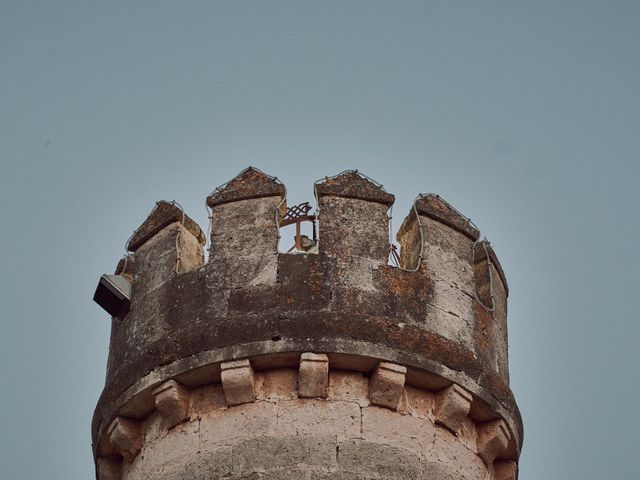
{"x": 440, "y": 314}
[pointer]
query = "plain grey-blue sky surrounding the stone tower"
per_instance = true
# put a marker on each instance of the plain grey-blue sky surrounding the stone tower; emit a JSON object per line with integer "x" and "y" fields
{"x": 525, "y": 115}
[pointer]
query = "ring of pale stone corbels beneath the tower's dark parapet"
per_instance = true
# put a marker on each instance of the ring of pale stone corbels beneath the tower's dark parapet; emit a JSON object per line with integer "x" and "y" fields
{"x": 388, "y": 382}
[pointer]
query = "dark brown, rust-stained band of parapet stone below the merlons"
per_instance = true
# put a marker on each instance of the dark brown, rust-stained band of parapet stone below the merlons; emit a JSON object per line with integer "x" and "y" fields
{"x": 213, "y": 323}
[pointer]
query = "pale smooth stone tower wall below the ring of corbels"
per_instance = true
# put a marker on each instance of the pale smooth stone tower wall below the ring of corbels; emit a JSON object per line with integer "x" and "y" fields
{"x": 310, "y": 438}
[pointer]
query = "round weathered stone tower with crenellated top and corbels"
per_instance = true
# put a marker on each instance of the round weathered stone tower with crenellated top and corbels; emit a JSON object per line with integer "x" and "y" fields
{"x": 325, "y": 365}
